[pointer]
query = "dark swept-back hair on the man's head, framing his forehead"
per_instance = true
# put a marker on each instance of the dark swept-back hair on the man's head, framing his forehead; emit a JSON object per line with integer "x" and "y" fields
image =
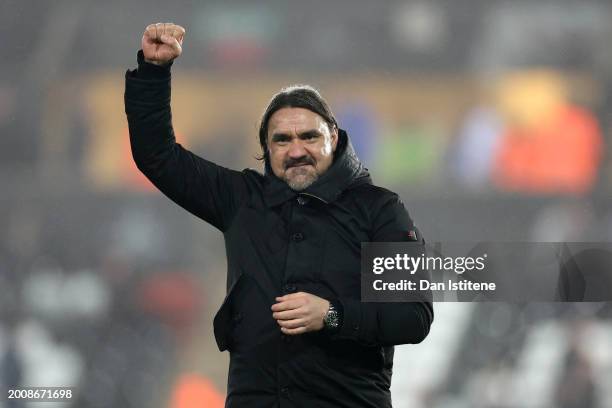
{"x": 294, "y": 96}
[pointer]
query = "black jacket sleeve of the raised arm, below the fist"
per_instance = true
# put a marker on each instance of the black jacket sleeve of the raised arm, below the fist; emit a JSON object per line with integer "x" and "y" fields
{"x": 205, "y": 189}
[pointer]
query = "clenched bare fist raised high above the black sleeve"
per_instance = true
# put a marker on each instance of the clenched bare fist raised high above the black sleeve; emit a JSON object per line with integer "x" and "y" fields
{"x": 161, "y": 42}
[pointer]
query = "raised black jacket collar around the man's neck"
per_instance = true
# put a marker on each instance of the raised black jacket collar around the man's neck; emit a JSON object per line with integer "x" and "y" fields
{"x": 346, "y": 171}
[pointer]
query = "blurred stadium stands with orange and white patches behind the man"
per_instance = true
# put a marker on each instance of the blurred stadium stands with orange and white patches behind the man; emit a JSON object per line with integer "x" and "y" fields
{"x": 491, "y": 118}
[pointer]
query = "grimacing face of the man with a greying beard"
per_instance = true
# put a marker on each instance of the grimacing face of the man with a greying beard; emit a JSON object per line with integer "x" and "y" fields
{"x": 301, "y": 146}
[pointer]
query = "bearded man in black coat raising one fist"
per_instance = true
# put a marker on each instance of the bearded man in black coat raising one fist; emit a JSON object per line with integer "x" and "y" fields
{"x": 292, "y": 319}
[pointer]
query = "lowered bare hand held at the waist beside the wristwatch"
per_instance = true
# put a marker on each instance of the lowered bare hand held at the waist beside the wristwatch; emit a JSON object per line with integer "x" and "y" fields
{"x": 300, "y": 312}
